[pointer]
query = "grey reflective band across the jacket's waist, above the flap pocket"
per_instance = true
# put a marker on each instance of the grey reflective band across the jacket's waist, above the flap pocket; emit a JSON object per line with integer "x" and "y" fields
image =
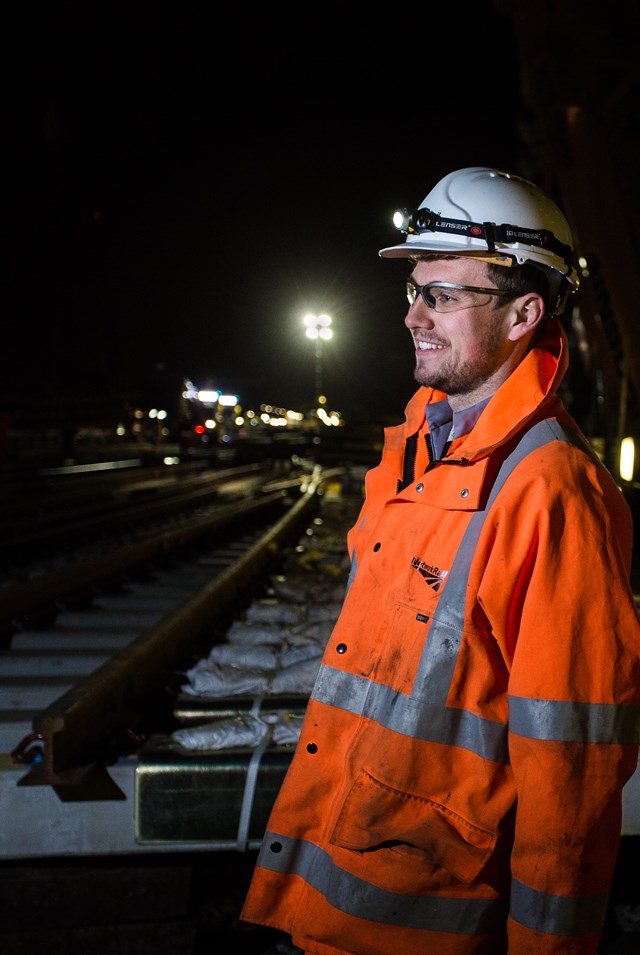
{"x": 403, "y": 714}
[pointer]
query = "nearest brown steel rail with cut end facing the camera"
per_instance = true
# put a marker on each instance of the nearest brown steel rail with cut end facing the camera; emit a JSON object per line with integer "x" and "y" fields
{"x": 77, "y": 731}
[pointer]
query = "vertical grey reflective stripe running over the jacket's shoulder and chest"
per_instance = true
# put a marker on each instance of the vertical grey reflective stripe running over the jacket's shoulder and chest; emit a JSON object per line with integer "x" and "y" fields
{"x": 438, "y": 662}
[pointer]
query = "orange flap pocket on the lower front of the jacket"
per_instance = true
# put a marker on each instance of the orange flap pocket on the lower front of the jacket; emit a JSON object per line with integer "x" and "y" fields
{"x": 376, "y": 816}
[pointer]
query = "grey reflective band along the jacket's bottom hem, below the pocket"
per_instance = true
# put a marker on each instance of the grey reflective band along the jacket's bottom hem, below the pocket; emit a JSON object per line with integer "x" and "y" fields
{"x": 359, "y": 898}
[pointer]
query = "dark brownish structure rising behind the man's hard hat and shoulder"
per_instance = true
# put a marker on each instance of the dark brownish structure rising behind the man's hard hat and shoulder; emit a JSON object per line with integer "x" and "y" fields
{"x": 580, "y": 83}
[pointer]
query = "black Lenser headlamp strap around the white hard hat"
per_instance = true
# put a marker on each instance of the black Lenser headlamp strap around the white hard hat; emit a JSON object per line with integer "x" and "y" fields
{"x": 424, "y": 220}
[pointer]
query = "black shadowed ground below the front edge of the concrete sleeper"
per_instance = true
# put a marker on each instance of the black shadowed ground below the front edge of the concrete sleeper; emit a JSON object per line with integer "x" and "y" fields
{"x": 188, "y": 904}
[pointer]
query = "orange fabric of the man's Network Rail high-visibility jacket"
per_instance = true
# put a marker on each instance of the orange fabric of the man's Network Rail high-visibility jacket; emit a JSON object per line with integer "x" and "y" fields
{"x": 549, "y": 625}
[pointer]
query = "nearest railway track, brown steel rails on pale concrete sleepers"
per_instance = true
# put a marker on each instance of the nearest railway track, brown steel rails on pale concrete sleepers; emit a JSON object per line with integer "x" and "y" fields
{"x": 95, "y": 650}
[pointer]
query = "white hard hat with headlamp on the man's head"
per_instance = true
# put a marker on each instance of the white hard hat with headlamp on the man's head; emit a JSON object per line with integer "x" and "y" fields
{"x": 482, "y": 211}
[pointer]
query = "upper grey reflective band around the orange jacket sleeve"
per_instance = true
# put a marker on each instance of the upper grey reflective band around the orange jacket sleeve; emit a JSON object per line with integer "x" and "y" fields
{"x": 570, "y": 722}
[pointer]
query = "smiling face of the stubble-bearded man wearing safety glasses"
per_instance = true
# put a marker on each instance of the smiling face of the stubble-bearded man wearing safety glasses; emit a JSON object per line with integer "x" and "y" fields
{"x": 464, "y": 353}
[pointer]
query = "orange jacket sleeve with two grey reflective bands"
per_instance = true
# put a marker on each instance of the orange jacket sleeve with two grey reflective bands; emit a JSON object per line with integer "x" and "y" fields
{"x": 568, "y": 628}
